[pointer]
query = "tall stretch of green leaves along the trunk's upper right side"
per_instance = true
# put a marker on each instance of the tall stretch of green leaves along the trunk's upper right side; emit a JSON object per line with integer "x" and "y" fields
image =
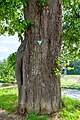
{"x": 71, "y": 30}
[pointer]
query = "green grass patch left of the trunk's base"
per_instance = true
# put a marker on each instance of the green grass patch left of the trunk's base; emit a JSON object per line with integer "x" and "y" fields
{"x": 8, "y": 100}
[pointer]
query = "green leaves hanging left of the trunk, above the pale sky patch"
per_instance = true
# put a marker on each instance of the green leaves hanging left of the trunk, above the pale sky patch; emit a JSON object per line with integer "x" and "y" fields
{"x": 12, "y": 20}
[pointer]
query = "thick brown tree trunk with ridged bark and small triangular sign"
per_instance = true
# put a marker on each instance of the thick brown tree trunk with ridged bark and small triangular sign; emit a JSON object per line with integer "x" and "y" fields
{"x": 39, "y": 90}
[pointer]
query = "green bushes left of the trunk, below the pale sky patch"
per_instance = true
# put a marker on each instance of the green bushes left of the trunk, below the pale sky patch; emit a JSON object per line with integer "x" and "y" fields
{"x": 7, "y": 69}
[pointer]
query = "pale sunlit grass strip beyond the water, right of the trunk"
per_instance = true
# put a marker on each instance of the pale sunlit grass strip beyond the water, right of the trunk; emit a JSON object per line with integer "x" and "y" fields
{"x": 70, "y": 81}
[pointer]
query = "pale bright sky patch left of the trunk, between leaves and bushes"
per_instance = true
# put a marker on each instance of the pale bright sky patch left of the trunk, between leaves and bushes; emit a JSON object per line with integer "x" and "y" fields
{"x": 8, "y": 45}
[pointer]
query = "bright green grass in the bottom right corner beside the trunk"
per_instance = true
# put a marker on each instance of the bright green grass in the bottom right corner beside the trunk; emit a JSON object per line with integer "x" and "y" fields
{"x": 70, "y": 109}
